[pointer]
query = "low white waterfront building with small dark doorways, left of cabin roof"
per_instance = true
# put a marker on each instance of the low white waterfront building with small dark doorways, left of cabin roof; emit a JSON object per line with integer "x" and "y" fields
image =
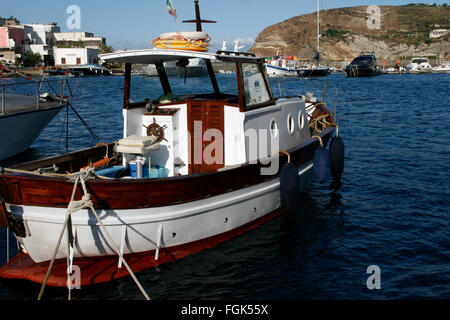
{"x": 75, "y": 56}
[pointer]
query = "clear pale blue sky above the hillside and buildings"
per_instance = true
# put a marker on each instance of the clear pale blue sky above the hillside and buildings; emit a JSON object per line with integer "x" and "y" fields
{"x": 133, "y": 24}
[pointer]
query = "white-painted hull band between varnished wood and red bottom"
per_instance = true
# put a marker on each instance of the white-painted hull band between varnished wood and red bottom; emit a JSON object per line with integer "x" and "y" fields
{"x": 140, "y": 230}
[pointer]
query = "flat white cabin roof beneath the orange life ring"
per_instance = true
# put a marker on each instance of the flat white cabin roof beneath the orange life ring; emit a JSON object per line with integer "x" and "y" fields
{"x": 148, "y": 56}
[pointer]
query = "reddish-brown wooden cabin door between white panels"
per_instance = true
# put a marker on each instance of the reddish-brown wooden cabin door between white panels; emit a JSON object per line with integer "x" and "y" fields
{"x": 206, "y": 129}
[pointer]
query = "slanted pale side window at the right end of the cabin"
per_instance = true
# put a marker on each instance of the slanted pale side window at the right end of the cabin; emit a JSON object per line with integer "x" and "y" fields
{"x": 254, "y": 85}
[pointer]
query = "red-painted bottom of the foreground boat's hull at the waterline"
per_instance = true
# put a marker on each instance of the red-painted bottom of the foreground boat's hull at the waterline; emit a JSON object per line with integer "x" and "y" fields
{"x": 103, "y": 269}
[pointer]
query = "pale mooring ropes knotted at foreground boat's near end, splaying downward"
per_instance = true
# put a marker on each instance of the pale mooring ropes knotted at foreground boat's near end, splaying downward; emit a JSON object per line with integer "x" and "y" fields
{"x": 84, "y": 203}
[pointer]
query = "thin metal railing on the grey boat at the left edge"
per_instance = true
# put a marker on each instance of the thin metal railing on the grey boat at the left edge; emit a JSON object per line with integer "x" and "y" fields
{"x": 43, "y": 90}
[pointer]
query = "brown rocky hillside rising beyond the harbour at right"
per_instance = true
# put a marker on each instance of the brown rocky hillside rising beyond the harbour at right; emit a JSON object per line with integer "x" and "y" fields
{"x": 403, "y": 32}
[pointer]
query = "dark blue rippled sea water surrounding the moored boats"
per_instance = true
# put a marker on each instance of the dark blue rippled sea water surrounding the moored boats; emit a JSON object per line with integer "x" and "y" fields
{"x": 392, "y": 209}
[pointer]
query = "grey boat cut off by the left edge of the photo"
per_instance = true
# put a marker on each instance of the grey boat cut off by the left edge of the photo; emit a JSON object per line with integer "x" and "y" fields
{"x": 22, "y": 118}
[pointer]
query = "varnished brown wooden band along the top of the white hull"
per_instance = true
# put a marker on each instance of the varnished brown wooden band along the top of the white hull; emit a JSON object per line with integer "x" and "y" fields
{"x": 31, "y": 190}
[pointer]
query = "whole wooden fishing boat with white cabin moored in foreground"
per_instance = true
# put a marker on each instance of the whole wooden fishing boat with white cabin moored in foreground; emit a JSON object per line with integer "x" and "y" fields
{"x": 192, "y": 170}
